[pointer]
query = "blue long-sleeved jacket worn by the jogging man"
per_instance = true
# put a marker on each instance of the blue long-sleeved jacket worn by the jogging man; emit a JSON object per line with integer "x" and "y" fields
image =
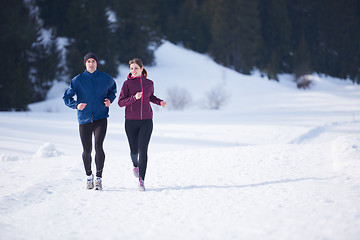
{"x": 92, "y": 89}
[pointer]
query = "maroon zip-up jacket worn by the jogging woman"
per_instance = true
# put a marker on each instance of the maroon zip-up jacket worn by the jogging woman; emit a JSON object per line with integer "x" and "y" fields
{"x": 138, "y": 109}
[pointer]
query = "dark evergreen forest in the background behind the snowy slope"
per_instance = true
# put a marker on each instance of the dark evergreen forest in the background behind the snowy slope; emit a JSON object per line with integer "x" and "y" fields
{"x": 44, "y": 41}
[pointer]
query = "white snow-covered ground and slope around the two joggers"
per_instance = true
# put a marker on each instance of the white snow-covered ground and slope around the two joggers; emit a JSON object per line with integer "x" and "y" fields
{"x": 274, "y": 163}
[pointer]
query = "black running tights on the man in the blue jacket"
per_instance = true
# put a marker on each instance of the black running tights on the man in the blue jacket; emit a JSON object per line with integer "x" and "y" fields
{"x": 98, "y": 128}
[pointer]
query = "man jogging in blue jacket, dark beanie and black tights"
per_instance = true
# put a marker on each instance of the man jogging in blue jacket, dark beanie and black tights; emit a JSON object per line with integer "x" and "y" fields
{"x": 94, "y": 91}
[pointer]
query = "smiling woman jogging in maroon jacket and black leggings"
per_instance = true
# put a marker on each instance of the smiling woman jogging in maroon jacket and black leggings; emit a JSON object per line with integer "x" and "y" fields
{"x": 136, "y": 94}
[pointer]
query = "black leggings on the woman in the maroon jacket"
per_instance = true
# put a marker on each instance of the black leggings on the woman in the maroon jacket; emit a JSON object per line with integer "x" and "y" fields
{"x": 139, "y": 133}
